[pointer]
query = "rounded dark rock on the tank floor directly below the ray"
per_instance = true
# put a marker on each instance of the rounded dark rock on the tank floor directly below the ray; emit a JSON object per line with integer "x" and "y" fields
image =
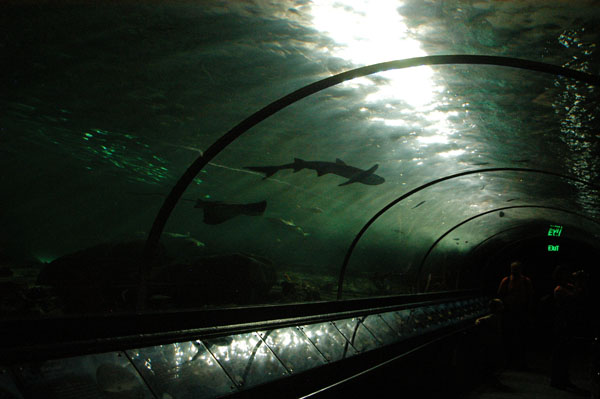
{"x": 221, "y": 279}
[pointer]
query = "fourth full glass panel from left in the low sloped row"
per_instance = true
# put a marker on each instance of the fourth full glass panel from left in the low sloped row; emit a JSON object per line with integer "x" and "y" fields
{"x": 293, "y": 348}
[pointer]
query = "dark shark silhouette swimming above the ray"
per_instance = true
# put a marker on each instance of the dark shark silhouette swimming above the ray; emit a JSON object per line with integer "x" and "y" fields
{"x": 339, "y": 167}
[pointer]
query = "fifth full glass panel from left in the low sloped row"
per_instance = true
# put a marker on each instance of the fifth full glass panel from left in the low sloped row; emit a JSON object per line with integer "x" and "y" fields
{"x": 329, "y": 341}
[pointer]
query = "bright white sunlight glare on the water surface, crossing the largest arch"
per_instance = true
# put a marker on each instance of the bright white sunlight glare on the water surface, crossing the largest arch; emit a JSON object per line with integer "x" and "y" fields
{"x": 369, "y": 32}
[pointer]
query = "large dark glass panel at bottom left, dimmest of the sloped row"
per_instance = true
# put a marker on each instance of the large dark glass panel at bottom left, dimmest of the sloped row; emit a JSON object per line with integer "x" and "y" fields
{"x": 101, "y": 376}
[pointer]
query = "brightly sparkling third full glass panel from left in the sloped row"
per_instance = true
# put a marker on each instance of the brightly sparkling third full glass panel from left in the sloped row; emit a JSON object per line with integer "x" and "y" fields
{"x": 246, "y": 358}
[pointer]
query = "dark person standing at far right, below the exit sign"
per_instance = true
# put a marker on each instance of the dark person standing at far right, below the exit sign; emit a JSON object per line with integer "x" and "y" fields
{"x": 566, "y": 299}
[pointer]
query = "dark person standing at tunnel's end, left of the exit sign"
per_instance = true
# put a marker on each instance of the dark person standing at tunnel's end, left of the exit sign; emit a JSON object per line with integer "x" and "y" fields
{"x": 516, "y": 292}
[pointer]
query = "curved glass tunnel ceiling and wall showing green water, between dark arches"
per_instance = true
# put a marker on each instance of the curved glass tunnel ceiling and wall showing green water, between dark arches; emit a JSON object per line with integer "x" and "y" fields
{"x": 105, "y": 107}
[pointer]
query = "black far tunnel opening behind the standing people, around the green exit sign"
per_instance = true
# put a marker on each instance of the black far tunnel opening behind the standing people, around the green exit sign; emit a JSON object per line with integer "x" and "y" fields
{"x": 530, "y": 246}
